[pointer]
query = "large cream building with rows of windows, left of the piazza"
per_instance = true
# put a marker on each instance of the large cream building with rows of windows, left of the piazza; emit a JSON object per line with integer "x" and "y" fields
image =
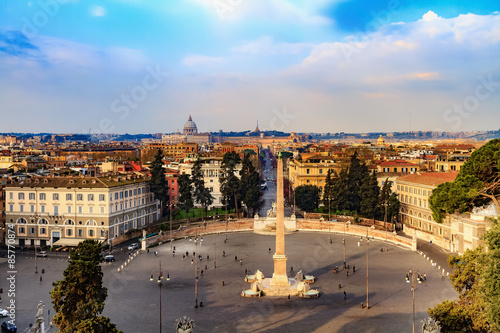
{"x": 49, "y": 211}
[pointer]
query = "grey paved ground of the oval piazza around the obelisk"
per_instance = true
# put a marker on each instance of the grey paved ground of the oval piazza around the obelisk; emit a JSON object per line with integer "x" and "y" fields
{"x": 133, "y": 300}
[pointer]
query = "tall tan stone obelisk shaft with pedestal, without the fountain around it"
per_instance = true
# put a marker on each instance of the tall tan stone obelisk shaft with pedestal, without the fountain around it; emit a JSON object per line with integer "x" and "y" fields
{"x": 279, "y": 276}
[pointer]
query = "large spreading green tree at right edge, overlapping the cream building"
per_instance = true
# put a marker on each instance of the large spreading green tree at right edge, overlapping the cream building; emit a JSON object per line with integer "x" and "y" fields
{"x": 477, "y": 184}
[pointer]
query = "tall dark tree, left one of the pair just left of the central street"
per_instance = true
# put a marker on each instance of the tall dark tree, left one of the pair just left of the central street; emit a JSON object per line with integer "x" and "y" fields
{"x": 229, "y": 182}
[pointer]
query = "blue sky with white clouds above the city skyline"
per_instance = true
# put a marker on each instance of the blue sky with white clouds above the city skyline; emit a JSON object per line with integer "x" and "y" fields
{"x": 132, "y": 66}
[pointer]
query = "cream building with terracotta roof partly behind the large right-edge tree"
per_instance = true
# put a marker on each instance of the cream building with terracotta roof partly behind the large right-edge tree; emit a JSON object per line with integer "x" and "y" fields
{"x": 457, "y": 233}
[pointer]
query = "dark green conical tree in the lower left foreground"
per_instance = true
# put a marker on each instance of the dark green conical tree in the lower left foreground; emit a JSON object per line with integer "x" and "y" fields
{"x": 79, "y": 297}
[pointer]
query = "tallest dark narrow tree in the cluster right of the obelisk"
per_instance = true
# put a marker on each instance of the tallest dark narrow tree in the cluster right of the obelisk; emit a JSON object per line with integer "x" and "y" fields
{"x": 356, "y": 173}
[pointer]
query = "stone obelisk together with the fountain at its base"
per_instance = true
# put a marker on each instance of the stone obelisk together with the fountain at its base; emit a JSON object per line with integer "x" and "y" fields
{"x": 280, "y": 284}
